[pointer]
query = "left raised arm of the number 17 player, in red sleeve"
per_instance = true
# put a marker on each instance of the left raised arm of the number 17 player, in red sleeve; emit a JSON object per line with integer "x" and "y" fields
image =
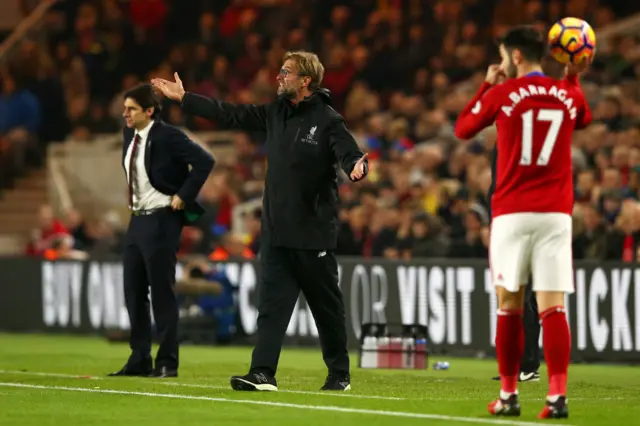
{"x": 480, "y": 112}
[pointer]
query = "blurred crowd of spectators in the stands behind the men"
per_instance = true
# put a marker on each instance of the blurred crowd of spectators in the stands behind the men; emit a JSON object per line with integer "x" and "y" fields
{"x": 399, "y": 71}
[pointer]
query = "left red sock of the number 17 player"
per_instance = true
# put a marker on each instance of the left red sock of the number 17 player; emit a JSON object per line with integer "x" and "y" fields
{"x": 509, "y": 347}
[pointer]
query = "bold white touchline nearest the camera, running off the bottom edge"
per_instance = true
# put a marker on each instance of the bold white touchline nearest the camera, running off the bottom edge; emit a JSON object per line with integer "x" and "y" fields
{"x": 283, "y": 405}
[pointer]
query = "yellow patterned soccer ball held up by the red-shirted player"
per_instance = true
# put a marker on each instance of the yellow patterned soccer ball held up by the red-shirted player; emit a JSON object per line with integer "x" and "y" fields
{"x": 572, "y": 40}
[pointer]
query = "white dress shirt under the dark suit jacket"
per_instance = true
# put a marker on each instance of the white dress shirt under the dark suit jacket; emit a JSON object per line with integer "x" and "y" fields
{"x": 147, "y": 197}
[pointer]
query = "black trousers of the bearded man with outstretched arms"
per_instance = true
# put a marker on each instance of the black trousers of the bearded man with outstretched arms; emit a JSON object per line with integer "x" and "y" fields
{"x": 285, "y": 272}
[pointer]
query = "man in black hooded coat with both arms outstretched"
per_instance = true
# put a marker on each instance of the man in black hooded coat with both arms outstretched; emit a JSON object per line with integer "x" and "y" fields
{"x": 306, "y": 141}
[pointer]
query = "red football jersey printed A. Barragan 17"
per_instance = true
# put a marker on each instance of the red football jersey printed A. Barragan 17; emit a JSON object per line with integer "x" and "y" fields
{"x": 535, "y": 116}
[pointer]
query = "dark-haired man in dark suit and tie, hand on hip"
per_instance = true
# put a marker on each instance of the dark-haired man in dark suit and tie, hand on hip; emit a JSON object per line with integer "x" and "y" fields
{"x": 162, "y": 197}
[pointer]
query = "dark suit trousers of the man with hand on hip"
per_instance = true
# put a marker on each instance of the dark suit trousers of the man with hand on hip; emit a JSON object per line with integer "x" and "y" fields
{"x": 151, "y": 246}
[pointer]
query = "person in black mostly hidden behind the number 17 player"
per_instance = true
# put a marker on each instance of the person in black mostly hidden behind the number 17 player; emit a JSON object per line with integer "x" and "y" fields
{"x": 531, "y": 357}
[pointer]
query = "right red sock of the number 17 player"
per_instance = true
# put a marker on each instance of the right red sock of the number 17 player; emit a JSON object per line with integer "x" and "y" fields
{"x": 556, "y": 339}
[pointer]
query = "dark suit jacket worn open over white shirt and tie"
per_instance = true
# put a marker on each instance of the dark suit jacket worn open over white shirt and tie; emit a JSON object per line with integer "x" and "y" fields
{"x": 168, "y": 155}
